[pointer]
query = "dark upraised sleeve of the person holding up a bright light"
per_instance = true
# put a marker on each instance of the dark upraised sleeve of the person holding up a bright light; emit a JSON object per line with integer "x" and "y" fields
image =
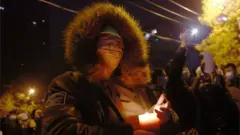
{"x": 176, "y": 66}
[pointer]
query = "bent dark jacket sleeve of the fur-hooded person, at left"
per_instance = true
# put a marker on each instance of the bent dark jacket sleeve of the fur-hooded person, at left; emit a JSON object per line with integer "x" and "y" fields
{"x": 61, "y": 116}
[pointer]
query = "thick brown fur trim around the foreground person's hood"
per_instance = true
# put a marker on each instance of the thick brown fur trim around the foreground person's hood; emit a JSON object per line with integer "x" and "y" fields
{"x": 82, "y": 33}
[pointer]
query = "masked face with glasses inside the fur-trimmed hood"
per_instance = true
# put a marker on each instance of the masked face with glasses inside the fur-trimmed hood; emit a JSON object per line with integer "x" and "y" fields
{"x": 110, "y": 52}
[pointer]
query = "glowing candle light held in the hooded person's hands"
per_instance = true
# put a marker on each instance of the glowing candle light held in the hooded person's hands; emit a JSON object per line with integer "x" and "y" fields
{"x": 149, "y": 121}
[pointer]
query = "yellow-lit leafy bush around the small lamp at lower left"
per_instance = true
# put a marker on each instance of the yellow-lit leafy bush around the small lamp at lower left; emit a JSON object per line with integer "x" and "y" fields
{"x": 19, "y": 114}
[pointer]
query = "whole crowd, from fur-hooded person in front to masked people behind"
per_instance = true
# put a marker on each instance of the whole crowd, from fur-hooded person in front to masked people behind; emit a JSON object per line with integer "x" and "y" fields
{"x": 112, "y": 90}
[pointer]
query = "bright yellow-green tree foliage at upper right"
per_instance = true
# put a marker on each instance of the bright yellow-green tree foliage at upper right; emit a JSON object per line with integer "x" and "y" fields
{"x": 224, "y": 41}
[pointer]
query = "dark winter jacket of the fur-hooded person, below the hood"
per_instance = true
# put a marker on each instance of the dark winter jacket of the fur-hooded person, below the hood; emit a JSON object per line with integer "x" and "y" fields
{"x": 75, "y": 106}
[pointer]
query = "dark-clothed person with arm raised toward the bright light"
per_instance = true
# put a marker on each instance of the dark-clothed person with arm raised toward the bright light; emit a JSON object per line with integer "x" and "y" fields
{"x": 178, "y": 92}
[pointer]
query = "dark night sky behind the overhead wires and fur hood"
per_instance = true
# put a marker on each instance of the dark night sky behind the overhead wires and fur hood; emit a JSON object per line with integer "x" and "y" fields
{"x": 32, "y": 36}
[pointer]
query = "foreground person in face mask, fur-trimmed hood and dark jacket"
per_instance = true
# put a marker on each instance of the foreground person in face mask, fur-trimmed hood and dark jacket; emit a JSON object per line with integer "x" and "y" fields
{"x": 101, "y": 39}
